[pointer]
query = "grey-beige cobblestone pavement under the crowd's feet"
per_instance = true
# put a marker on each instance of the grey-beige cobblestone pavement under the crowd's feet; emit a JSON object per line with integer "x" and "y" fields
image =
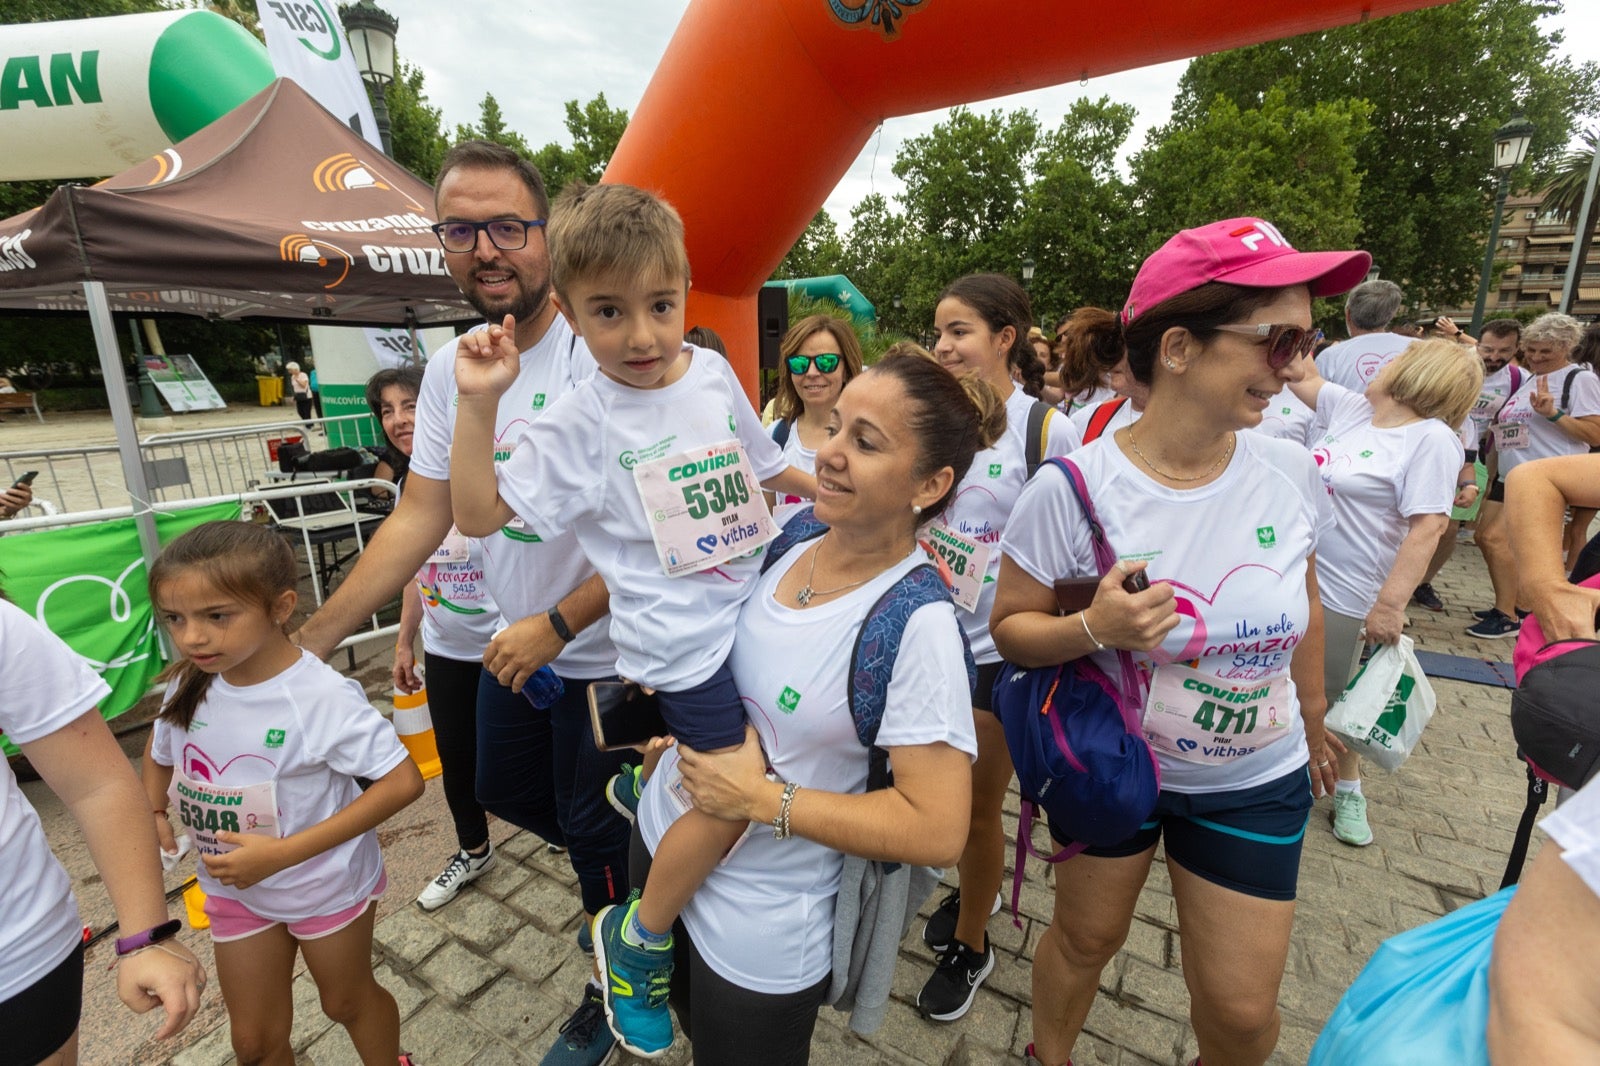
{"x": 489, "y": 979}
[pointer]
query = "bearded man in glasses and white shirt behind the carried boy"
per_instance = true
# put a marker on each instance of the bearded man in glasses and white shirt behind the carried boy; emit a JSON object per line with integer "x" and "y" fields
{"x": 538, "y": 769}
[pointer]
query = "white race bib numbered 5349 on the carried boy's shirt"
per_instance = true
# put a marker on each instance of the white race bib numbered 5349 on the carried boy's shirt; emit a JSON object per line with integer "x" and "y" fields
{"x": 705, "y": 507}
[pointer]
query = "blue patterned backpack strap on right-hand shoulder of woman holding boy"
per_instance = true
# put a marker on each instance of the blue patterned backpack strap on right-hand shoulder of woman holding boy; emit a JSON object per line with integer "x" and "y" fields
{"x": 878, "y": 647}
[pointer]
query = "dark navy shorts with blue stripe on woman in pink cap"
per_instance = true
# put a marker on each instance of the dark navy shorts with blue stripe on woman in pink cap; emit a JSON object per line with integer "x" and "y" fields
{"x": 1249, "y": 840}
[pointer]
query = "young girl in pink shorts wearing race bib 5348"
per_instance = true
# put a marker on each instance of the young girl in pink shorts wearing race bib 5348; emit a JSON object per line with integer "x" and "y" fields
{"x": 258, "y": 748}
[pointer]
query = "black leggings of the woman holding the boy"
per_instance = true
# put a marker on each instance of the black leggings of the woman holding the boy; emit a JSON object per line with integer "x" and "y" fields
{"x": 732, "y": 1025}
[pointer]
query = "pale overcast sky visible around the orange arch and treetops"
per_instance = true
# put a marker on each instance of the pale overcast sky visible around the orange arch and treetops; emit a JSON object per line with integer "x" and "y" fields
{"x": 540, "y": 54}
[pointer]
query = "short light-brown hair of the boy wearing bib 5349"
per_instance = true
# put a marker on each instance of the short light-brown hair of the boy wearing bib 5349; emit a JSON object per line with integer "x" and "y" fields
{"x": 614, "y": 233}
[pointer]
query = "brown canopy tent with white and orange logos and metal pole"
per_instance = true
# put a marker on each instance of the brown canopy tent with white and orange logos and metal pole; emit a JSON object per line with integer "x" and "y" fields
{"x": 278, "y": 210}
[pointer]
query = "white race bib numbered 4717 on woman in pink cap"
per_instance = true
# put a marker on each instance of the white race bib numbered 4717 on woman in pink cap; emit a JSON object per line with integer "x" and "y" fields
{"x": 1199, "y": 718}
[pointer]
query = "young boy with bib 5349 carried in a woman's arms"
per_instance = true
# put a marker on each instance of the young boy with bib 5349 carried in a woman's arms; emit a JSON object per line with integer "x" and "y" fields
{"x": 657, "y": 465}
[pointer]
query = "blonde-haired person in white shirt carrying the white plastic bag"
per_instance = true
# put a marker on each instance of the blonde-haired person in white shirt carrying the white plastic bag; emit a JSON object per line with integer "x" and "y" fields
{"x": 1390, "y": 460}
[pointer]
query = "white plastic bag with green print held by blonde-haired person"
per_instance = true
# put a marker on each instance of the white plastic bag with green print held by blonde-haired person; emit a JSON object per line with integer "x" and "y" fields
{"x": 1382, "y": 713}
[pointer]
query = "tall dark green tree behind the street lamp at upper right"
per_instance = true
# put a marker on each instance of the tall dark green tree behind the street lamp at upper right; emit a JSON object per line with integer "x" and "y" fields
{"x": 1439, "y": 82}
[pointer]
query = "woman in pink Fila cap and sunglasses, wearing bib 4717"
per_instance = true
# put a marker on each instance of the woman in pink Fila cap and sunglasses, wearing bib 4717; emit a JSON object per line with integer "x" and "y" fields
{"x": 1226, "y": 526}
